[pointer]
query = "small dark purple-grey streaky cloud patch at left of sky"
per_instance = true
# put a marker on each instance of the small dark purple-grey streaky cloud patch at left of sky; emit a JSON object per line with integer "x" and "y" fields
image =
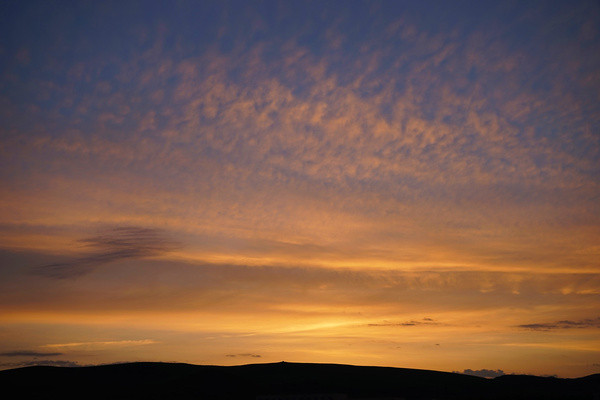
{"x": 120, "y": 243}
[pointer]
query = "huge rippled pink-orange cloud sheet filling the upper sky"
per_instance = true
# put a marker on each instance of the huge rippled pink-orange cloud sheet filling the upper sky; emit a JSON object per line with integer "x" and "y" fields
{"x": 337, "y": 133}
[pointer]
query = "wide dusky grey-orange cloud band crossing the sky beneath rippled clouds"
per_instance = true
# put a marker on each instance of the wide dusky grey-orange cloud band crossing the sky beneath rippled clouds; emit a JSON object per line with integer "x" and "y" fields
{"x": 189, "y": 286}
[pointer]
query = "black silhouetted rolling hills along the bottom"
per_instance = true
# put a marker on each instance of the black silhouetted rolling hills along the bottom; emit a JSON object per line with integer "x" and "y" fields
{"x": 279, "y": 381}
